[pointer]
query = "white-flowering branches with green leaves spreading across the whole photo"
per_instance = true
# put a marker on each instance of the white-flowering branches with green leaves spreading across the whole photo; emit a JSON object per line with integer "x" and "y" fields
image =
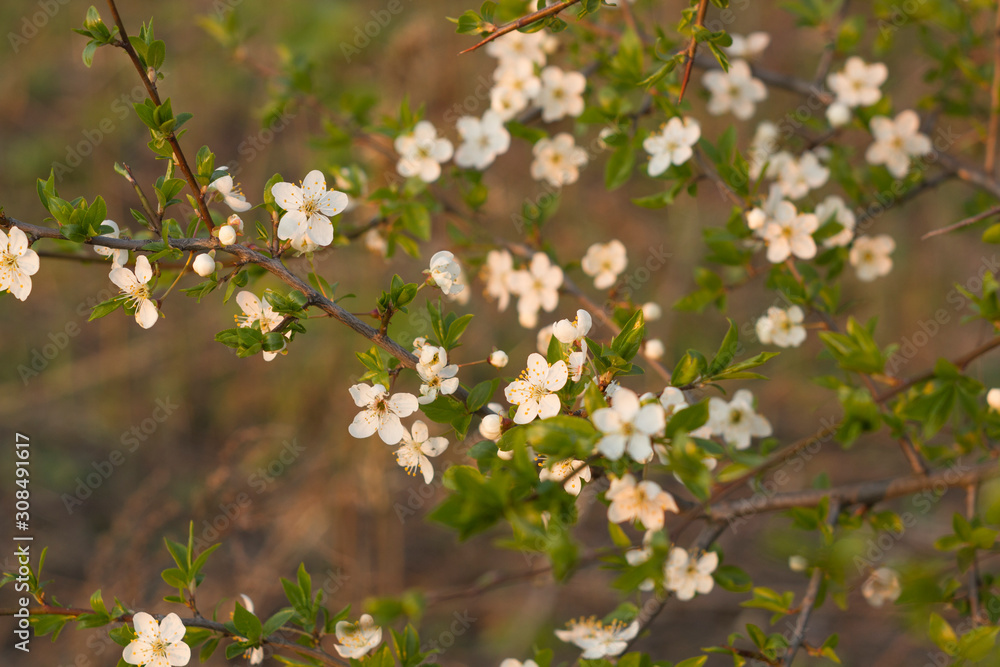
{"x": 601, "y": 415}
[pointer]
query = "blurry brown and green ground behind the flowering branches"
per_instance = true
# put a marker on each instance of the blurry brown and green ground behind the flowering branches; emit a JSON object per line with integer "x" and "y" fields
{"x": 136, "y": 433}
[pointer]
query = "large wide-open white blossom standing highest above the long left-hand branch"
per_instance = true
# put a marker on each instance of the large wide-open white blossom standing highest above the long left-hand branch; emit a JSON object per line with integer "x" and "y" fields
{"x": 308, "y": 209}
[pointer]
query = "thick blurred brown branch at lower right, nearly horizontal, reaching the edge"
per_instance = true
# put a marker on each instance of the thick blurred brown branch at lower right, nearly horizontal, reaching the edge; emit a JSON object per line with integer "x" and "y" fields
{"x": 863, "y": 493}
